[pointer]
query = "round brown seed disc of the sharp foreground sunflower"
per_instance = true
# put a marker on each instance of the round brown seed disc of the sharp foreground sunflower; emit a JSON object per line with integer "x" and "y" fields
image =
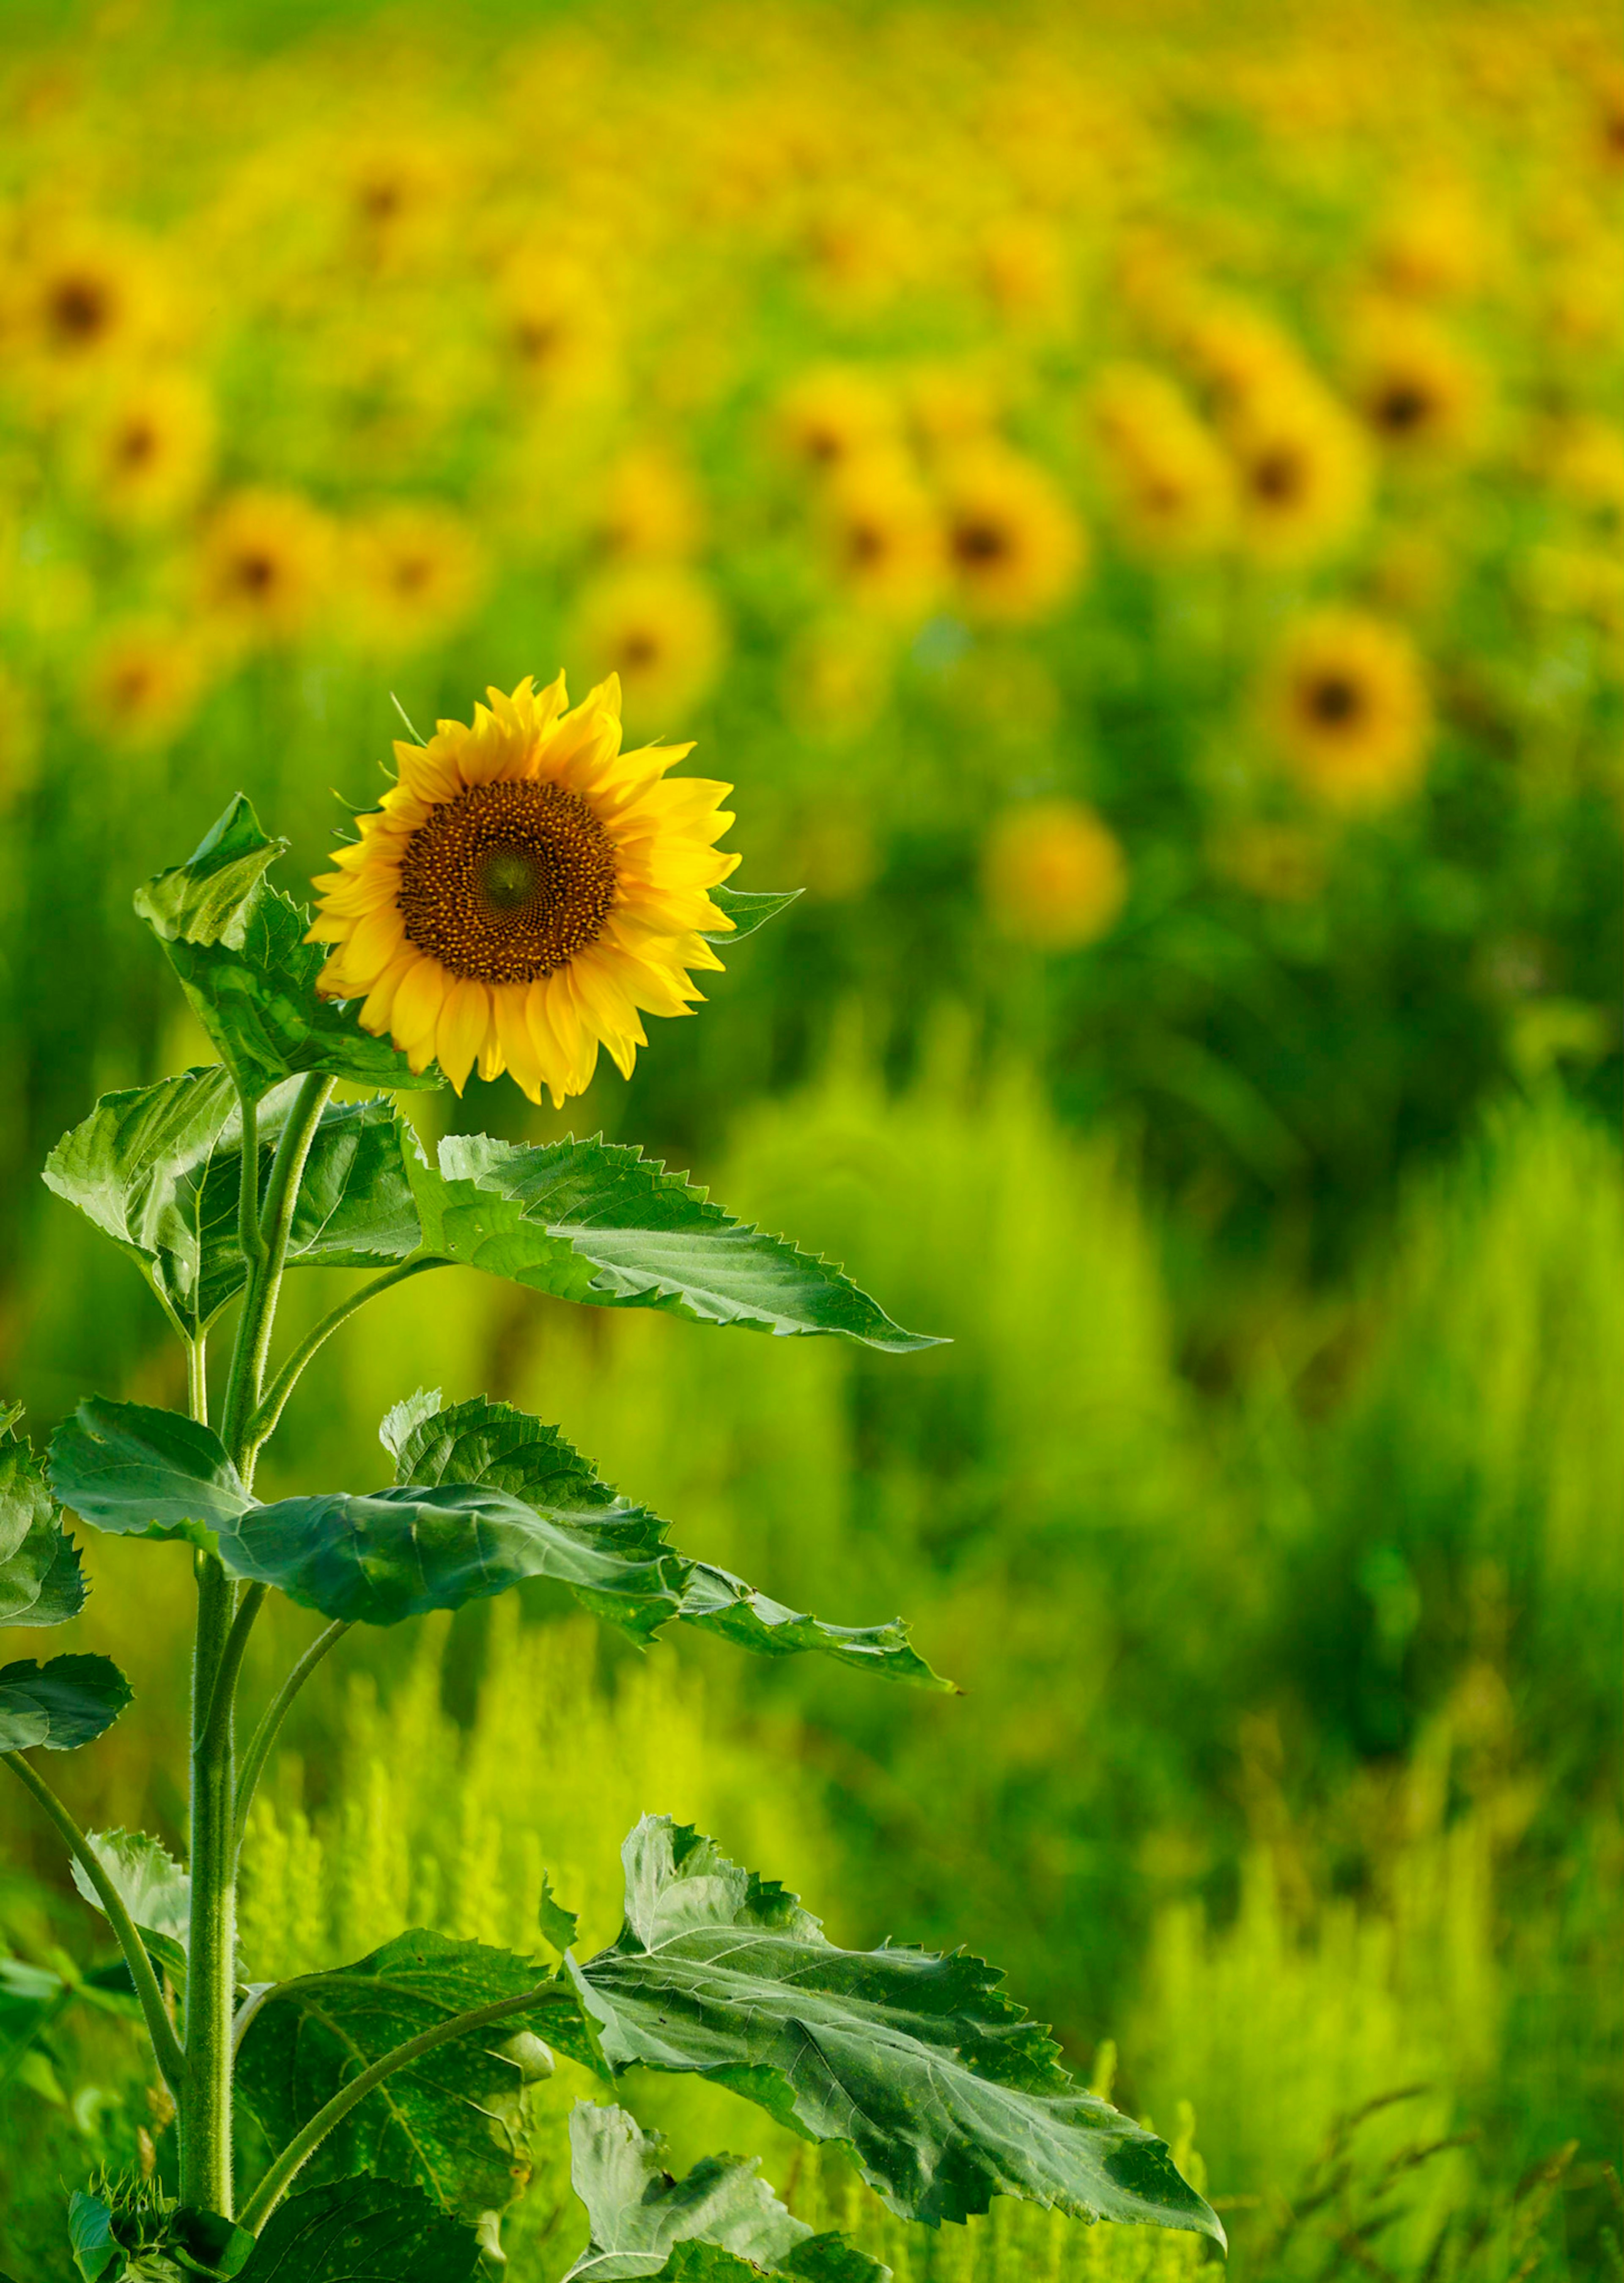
{"x": 508, "y": 882}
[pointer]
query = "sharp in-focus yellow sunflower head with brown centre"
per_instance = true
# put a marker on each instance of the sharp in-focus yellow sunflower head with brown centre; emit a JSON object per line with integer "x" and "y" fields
{"x": 524, "y": 892}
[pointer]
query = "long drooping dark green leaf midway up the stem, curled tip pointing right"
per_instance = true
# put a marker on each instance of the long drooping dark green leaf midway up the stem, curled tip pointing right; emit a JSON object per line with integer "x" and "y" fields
{"x": 488, "y": 1497}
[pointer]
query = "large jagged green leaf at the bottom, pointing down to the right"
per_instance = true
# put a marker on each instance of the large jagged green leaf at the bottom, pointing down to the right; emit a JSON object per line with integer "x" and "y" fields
{"x": 940, "y": 2086}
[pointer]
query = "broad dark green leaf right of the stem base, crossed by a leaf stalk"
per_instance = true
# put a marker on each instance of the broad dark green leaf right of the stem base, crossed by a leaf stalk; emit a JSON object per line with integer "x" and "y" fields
{"x": 456, "y": 2122}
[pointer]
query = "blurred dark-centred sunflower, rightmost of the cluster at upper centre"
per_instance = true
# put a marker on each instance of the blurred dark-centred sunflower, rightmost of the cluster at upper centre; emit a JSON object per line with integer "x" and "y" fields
{"x": 1015, "y": 544}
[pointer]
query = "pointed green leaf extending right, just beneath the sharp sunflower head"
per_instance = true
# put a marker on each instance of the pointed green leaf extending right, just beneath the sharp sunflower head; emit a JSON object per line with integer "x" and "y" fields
{"x": 602, "y": 1225}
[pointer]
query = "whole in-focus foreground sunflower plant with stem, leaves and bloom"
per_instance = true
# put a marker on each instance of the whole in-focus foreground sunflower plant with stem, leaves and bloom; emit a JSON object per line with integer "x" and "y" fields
{"x": 520, "y": 898}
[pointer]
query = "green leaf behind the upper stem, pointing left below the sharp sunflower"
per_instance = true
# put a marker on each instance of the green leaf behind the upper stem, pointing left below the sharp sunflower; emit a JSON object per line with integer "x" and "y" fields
{"x": 159, "y": 1170}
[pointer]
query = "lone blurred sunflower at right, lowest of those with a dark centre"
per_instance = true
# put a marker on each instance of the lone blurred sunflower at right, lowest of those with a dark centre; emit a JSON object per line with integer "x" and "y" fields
{"x": 1346, "y": 704}
